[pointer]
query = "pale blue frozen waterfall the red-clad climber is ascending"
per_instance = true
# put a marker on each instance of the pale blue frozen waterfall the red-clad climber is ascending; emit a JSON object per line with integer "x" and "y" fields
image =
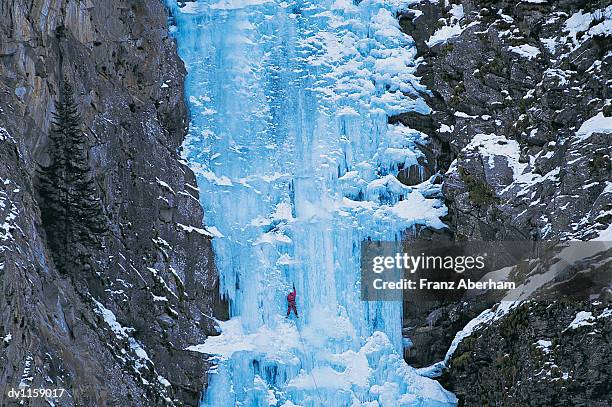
{"x": 296, "y": 166}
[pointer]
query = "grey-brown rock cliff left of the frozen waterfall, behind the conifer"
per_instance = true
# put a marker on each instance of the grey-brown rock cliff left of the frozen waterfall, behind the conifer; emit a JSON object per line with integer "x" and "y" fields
{"x": 115, "y": 334}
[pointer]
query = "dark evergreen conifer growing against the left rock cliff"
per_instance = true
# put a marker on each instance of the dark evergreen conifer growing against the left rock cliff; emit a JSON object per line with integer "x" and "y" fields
{"x": 71, "y": 209}
